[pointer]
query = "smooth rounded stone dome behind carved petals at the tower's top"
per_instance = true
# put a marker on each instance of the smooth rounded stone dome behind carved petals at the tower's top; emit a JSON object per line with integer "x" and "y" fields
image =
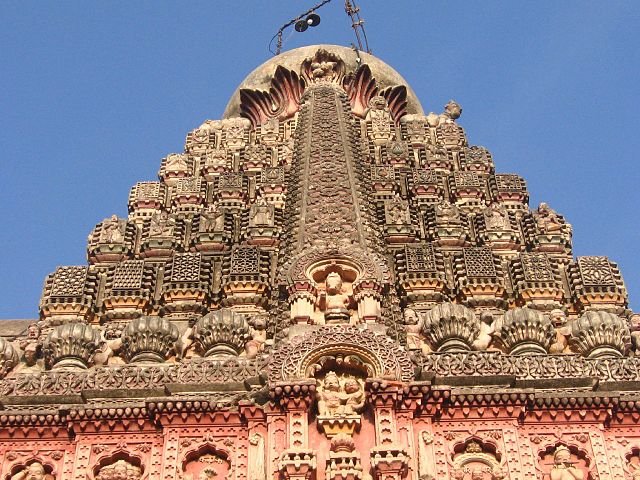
{"x": 260, "y": 78}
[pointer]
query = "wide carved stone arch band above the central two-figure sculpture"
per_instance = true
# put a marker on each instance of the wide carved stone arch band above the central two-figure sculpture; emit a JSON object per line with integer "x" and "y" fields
{"x": 382, "y": 357}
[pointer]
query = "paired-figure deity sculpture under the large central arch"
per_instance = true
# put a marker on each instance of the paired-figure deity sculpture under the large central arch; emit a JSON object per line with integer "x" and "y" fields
{"x": 340, "y": 399}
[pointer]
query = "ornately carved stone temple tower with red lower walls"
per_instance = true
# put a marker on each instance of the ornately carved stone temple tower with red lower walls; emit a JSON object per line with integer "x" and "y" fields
{"x": 326, "y": 284}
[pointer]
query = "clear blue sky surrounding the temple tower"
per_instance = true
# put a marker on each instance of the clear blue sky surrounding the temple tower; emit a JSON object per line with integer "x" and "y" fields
{"x": 94, "y": 94}
